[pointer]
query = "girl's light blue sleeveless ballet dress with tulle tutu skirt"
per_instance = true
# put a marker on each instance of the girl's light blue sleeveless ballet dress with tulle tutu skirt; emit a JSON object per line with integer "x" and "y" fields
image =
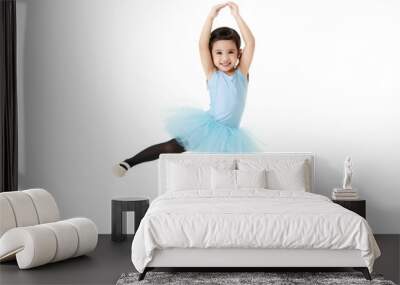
{"x": 216, "y": 130}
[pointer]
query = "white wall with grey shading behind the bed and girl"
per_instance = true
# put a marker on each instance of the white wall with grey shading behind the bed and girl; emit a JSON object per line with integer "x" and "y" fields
{"x": 94, "y": 77}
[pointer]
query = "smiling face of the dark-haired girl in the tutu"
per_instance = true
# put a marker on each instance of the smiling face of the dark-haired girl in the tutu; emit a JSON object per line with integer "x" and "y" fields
{"x": 225, "y": 55}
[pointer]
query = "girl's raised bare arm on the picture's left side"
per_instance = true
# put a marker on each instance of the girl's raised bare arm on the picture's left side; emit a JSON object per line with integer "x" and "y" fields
{"x": 205, "y": 55}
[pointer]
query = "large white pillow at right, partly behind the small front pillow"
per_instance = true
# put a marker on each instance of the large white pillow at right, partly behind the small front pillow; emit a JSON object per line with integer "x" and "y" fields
{"x": 283, "y": 174}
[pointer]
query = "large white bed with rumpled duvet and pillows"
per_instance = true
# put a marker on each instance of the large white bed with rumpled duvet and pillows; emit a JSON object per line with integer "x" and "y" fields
{"x": 245, "y": 211}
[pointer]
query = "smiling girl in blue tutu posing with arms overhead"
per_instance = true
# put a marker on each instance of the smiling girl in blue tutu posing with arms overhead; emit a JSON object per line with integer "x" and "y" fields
{"x": 226, "y": 67}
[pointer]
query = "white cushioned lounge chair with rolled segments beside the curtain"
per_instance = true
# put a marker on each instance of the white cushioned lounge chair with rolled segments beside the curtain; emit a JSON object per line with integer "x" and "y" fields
{"x": 32, "y": 233}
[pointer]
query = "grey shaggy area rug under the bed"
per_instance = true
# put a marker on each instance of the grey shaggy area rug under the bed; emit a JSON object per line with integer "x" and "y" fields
{"x": 270, "y": 278}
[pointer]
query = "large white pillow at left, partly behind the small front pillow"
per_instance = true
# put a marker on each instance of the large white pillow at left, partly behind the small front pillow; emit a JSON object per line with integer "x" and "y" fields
{"x": 190, "y": 174}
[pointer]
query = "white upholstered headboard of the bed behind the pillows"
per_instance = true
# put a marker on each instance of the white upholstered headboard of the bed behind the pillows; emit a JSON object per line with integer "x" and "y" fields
{"x": 212, "y": 158}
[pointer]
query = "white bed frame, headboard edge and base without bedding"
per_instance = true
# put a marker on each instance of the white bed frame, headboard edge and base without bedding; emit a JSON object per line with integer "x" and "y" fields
{"x": 248, "y": 259}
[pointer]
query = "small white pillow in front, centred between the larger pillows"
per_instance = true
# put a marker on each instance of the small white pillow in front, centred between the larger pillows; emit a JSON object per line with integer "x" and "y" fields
{"x": 237, "y": 179}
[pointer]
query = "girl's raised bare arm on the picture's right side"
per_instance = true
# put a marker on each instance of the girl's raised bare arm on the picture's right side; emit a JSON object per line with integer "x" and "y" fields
{"x": 247, "y": 55}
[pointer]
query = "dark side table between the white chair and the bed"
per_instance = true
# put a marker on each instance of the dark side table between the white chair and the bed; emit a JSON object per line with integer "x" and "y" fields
{"x": 119, "y": 207}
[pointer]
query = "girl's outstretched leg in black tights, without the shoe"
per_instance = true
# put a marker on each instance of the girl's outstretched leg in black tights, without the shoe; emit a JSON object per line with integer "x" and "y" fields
{"x": 154, "y": 151}
